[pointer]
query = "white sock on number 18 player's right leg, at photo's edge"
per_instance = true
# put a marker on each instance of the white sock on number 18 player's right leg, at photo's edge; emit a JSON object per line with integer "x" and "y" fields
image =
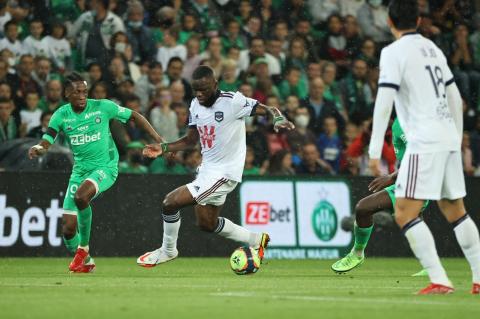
{"x": 467, "y": 236}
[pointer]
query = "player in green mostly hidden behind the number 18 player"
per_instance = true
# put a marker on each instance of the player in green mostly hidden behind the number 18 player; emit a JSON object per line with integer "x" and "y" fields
{"x": 382, "y": 199}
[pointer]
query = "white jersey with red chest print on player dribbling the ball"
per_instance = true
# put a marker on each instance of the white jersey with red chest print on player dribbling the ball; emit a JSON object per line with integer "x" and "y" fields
{"x": 222, "y": 134}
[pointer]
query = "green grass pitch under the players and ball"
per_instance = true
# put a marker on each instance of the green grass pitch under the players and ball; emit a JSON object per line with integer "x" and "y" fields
{"x": 206, "y": 288}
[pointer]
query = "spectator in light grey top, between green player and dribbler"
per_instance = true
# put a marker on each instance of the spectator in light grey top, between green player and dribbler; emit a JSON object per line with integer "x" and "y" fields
{"x": 162, "y": 117}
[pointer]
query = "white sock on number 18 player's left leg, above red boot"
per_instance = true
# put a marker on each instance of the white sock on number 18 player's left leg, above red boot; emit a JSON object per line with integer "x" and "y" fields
{"x": 423, "y": 246}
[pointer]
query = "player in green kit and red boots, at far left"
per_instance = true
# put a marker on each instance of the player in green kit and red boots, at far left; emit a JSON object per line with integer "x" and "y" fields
{"x": 85, "y": 123}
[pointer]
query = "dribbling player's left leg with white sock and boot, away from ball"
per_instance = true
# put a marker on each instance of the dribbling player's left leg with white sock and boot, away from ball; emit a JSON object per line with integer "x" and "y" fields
{"x": 171, "y": 205}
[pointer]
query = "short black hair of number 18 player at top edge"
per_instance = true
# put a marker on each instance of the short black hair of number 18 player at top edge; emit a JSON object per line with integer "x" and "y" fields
{"x": 403, "y": 13}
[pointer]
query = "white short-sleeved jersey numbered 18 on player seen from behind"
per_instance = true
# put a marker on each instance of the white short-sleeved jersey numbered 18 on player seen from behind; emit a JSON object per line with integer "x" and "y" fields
{"x": 418, "y": 70}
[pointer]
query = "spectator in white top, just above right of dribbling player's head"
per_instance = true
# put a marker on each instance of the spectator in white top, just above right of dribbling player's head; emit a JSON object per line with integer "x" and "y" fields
{"x": 257, "y": 50}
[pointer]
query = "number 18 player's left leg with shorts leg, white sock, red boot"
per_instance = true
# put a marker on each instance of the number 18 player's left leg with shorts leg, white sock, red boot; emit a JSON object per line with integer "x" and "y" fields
{"x": 421, "y": 176}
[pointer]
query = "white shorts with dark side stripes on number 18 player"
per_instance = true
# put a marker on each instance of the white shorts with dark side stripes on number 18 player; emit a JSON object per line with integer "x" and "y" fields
{"x": 431, "y": 176}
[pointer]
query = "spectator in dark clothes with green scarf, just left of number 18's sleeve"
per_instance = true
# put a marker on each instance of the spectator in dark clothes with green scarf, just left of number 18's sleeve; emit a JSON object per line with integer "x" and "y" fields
{"x": 357, "y": 93}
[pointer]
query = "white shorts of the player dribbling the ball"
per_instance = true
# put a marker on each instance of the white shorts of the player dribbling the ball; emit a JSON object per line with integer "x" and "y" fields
{"x": 211, "y": 190}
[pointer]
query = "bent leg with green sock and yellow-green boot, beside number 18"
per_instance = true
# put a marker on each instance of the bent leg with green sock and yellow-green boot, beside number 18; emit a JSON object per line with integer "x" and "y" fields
{"x": 364, "y": 211}
